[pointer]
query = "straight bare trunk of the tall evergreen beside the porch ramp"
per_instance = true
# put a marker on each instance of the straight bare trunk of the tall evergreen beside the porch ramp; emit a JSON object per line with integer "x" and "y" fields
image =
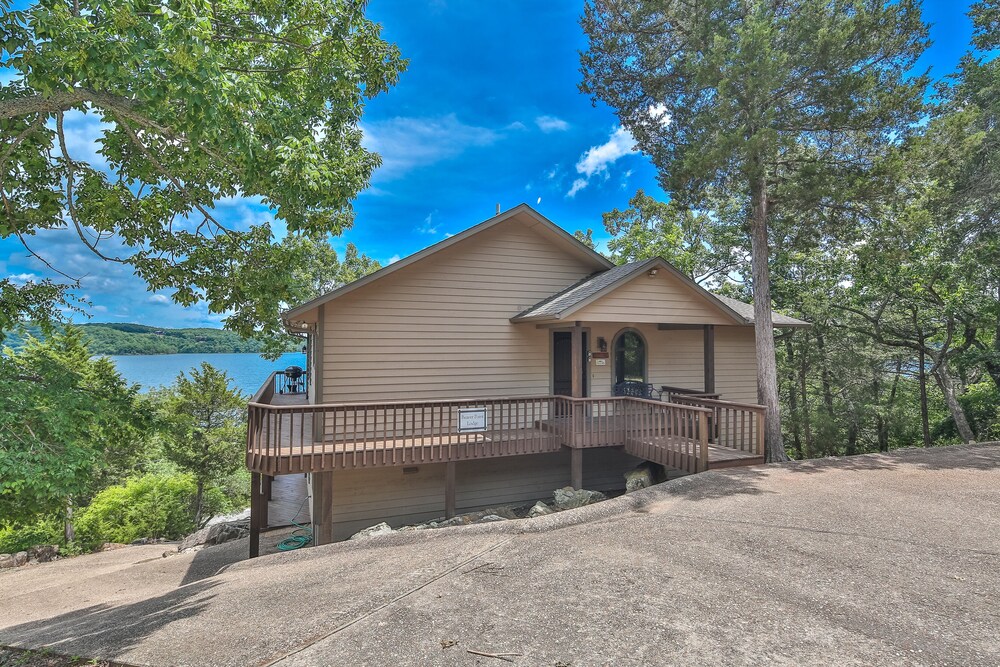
{"x": 767, "y": 367}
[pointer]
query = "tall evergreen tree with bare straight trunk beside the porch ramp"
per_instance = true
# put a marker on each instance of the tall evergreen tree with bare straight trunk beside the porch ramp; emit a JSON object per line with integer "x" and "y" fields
{"x": 774, "y": 102}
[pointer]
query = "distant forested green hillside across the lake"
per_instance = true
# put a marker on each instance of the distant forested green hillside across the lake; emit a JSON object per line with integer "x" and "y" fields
{"x": 125, "y": 338}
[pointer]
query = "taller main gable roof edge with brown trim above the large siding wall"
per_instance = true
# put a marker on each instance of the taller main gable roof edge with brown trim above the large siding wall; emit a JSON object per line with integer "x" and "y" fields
{"x": 522, "y": 211}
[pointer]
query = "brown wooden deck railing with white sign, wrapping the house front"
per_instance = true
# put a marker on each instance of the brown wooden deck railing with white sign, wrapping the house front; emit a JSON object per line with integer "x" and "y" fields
{"x": 301, "y": 438}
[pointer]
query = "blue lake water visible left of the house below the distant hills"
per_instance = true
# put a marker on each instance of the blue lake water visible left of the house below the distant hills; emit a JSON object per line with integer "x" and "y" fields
{"x": 247, "y": 372}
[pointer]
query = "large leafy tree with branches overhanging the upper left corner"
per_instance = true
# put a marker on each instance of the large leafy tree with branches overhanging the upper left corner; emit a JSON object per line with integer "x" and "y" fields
{"x": 198, "y": 101}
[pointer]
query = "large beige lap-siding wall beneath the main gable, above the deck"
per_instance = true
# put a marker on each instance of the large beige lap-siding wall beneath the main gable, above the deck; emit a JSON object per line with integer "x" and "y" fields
{"x": 440, "y": 328}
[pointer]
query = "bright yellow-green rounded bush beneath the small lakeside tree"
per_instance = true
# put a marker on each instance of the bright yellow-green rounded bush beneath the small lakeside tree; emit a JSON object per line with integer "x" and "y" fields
{"x": 148, "y": 506}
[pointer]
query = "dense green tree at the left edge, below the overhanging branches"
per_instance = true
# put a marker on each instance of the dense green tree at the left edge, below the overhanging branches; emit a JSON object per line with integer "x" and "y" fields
{"x": 69, "y": 424}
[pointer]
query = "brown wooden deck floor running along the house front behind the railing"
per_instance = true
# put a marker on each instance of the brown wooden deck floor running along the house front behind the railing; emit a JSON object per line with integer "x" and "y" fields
{"x": 292, "y": 447}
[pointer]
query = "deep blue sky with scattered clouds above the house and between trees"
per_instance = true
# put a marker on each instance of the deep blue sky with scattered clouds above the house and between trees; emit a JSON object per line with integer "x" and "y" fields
{"x": 488, "y": 113}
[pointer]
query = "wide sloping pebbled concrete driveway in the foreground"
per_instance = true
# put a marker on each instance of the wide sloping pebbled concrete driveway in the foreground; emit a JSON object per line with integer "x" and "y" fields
{"x": 871, "y": 560}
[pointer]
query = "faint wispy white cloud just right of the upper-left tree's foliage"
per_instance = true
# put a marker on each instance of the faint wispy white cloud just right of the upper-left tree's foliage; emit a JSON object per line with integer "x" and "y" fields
{"x": 410, "y": 143}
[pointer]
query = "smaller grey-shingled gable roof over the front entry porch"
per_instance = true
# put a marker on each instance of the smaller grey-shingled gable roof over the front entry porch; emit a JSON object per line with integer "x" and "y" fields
{"x": 565, "y": 303}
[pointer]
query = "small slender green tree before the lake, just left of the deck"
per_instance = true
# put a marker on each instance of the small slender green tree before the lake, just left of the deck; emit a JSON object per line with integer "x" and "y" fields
{"x": 203, "y": 426}
